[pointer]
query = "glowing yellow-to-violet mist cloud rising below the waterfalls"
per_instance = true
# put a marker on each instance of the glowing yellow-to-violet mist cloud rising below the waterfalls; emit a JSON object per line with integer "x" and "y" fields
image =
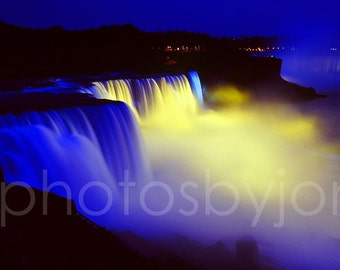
{"x": 263, "y": 171}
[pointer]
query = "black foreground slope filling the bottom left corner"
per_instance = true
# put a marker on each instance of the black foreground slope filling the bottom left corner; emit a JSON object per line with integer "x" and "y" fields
{"x": 58, "y": 239}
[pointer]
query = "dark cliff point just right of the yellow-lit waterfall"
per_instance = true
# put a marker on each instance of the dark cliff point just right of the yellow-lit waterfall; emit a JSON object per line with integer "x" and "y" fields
{"x": 260, "y": 77}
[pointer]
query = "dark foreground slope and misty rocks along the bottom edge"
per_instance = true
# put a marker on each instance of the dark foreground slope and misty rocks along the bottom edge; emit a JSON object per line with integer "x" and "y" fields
{"x": 61, "y": 238}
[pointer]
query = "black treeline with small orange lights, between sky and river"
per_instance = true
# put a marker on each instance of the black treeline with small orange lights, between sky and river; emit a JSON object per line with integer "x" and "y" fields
{"x": 26, "y": 52}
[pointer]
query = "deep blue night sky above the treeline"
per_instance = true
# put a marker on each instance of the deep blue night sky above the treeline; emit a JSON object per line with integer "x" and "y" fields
{"x": 215, "y": 17}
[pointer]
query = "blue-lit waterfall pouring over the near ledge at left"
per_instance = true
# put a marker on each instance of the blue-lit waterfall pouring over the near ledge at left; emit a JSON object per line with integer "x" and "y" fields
{"x": 73, "y": 147}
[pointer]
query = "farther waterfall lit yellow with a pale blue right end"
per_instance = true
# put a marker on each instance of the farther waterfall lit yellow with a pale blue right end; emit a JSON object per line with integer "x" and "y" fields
{"x": 153, "y": 95}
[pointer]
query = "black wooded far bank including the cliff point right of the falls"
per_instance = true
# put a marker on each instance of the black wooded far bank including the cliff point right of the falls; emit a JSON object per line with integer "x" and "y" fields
{"x": 30, "y": 54}
